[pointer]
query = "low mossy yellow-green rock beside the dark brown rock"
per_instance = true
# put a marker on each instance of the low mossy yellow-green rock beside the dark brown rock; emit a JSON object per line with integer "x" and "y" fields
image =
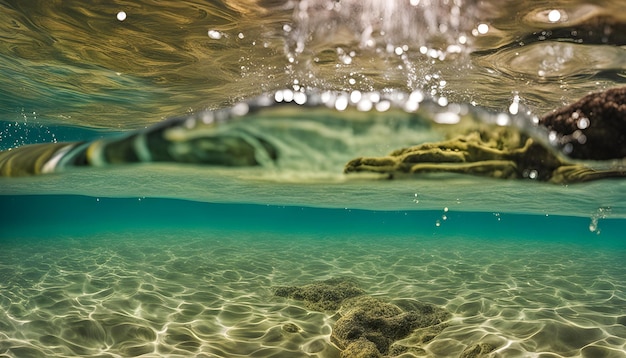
{"x": 501, "y": 152}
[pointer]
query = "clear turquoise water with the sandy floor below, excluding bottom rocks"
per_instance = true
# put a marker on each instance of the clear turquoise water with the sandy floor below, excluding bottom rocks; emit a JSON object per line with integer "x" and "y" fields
{"x": 88, "y": 276}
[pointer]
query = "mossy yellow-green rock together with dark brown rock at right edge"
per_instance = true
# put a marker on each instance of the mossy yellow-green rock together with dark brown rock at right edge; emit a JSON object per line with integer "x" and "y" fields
{"x": 593, "y": 128}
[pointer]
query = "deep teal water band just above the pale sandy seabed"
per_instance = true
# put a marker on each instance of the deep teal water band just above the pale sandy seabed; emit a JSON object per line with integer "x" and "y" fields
{"x": 93, "y": 215}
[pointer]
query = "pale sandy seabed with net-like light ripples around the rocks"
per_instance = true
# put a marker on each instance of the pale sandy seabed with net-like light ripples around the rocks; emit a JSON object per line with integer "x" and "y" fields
{"x": 209, "y": 294}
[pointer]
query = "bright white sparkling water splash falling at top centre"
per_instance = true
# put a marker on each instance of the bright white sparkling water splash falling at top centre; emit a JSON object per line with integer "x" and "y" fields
{"x": 407, "y": 38}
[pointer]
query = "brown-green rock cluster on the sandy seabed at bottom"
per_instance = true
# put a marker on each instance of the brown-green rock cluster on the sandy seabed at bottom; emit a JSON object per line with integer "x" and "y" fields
{"x": 368, "y": 326}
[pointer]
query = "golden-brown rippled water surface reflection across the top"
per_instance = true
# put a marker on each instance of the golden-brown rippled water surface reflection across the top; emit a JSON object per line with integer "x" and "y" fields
{"x": 76, "y": 63}
